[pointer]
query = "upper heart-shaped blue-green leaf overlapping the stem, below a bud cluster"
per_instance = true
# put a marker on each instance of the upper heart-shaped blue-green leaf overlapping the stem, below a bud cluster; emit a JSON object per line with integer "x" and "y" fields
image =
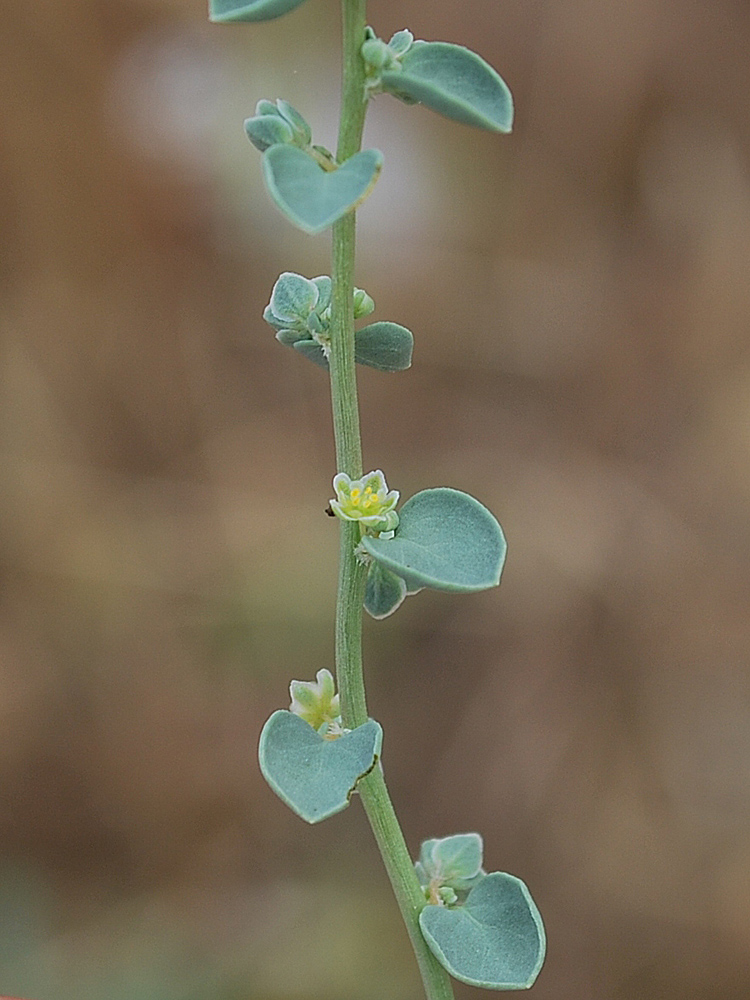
{"x": 311, "y": 197}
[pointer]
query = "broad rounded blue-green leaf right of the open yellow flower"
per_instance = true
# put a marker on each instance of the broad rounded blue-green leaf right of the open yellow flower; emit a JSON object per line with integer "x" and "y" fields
{"x": 446, "y": 540}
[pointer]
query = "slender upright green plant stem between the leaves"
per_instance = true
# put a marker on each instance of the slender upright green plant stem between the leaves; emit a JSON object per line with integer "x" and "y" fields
{"x": 352, "y": 574}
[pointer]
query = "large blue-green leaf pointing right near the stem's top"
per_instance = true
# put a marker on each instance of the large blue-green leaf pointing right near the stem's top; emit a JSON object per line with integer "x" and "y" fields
{"x": 455, "y": 82}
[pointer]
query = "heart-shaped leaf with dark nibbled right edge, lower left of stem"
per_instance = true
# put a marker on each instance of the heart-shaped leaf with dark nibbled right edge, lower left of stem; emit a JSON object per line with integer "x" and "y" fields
{"x": 315, "y": 776}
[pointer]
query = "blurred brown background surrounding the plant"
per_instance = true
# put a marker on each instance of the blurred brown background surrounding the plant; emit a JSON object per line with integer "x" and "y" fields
{"x": 579, "y": 295}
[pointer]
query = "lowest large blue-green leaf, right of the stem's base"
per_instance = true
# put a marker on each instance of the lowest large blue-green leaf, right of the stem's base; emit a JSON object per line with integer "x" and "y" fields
{"x": 495, "y": 939}
